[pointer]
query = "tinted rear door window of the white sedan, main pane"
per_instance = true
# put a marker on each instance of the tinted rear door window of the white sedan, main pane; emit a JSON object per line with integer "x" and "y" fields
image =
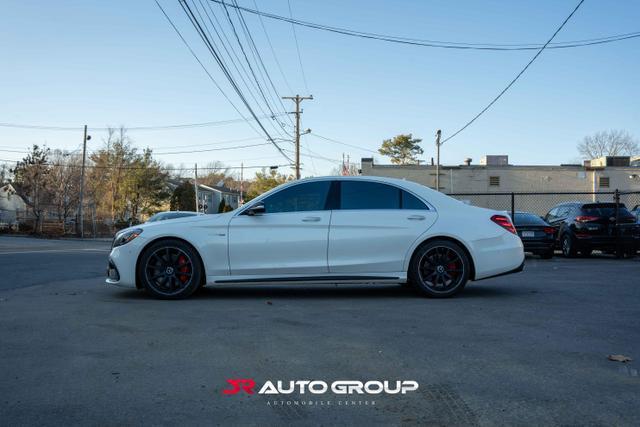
{"x": 368, "y": 195}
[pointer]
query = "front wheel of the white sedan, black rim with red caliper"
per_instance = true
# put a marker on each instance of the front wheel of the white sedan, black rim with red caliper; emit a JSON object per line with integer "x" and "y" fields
{"x": 170, "y": 269}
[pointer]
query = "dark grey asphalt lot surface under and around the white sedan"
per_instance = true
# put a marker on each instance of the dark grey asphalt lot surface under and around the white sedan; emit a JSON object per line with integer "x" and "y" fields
{"x": 525, "y": 349}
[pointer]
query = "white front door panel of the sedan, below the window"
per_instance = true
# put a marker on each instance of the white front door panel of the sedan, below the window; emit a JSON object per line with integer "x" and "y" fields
{"x": 279, "y": 243}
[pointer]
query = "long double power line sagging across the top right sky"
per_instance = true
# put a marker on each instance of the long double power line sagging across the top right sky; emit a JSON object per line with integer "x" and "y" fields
{"x": 439, "y": 43}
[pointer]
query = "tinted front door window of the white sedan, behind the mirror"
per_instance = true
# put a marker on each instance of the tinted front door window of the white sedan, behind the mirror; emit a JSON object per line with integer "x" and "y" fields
{"x": 311, "y": 196}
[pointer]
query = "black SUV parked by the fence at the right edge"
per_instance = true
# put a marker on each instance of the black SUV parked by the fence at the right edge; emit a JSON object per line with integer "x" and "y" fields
{"x": 582, "y": 227}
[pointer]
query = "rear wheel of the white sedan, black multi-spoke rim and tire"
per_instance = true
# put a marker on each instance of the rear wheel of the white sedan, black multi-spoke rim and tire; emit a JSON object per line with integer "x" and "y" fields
{"x": 440, "y": 269}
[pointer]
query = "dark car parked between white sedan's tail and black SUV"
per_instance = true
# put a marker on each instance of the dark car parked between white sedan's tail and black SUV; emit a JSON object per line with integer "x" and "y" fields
{"x": 536, "y": 234}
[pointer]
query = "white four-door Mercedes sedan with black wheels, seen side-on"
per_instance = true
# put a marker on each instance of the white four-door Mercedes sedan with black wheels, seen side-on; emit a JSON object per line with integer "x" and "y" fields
{"x": 323, "y": 230}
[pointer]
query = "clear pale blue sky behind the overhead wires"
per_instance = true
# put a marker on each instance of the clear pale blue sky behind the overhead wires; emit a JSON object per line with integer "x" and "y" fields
{"x": 68, "y": 63}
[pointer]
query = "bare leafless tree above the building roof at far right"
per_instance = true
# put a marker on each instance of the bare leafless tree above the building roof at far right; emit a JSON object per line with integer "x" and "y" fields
{"x": 614, "y": 142}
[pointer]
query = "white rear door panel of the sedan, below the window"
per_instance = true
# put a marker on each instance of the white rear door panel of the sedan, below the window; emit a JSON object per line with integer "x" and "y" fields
{"x": 374, "y": 241}
